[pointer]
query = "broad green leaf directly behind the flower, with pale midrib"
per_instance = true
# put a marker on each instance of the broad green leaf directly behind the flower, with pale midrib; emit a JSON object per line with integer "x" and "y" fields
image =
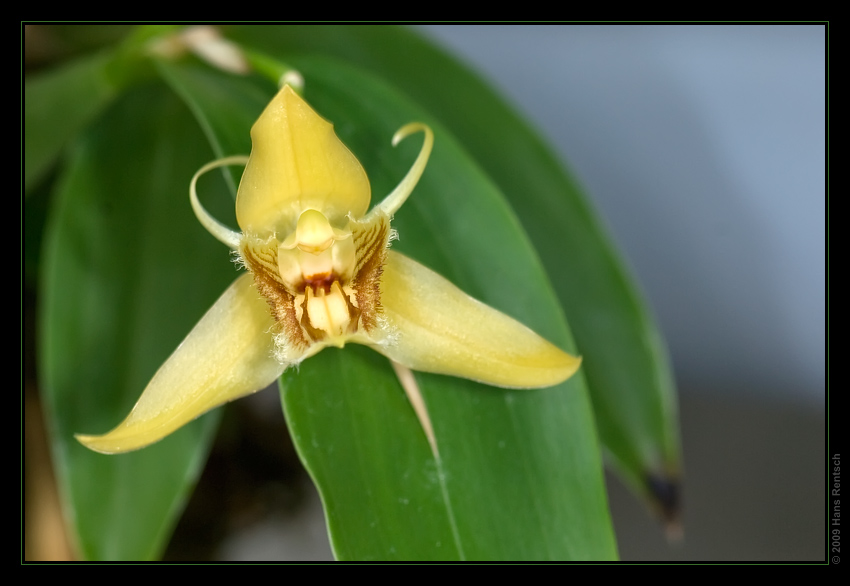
{"x": 519, "y": 475}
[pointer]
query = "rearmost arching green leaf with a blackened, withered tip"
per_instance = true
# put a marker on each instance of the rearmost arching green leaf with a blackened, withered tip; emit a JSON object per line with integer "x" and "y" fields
{"x": 624, "y": 356}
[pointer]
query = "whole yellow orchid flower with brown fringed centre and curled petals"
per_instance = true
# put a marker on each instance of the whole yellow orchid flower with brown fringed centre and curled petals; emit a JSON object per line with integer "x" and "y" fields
{"x": 320, "y": 274}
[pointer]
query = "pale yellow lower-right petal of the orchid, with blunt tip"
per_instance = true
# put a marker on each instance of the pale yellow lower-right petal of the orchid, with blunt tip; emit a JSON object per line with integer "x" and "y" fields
{"x": 443, "y": 330}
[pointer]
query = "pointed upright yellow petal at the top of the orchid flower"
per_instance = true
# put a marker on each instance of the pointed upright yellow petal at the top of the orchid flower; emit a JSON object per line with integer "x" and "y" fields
{"x": 297, "y": 163}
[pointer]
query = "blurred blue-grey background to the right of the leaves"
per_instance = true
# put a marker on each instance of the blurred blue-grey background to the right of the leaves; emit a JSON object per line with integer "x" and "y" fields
{"x": 703, "y": 149}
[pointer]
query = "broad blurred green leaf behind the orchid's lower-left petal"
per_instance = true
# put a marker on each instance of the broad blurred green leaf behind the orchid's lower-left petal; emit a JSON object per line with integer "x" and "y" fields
{"x": 122, "y": 284}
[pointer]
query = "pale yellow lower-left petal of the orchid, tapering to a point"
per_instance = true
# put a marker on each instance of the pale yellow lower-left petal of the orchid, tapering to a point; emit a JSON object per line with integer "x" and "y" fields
{"x": 228, "y": 354}
